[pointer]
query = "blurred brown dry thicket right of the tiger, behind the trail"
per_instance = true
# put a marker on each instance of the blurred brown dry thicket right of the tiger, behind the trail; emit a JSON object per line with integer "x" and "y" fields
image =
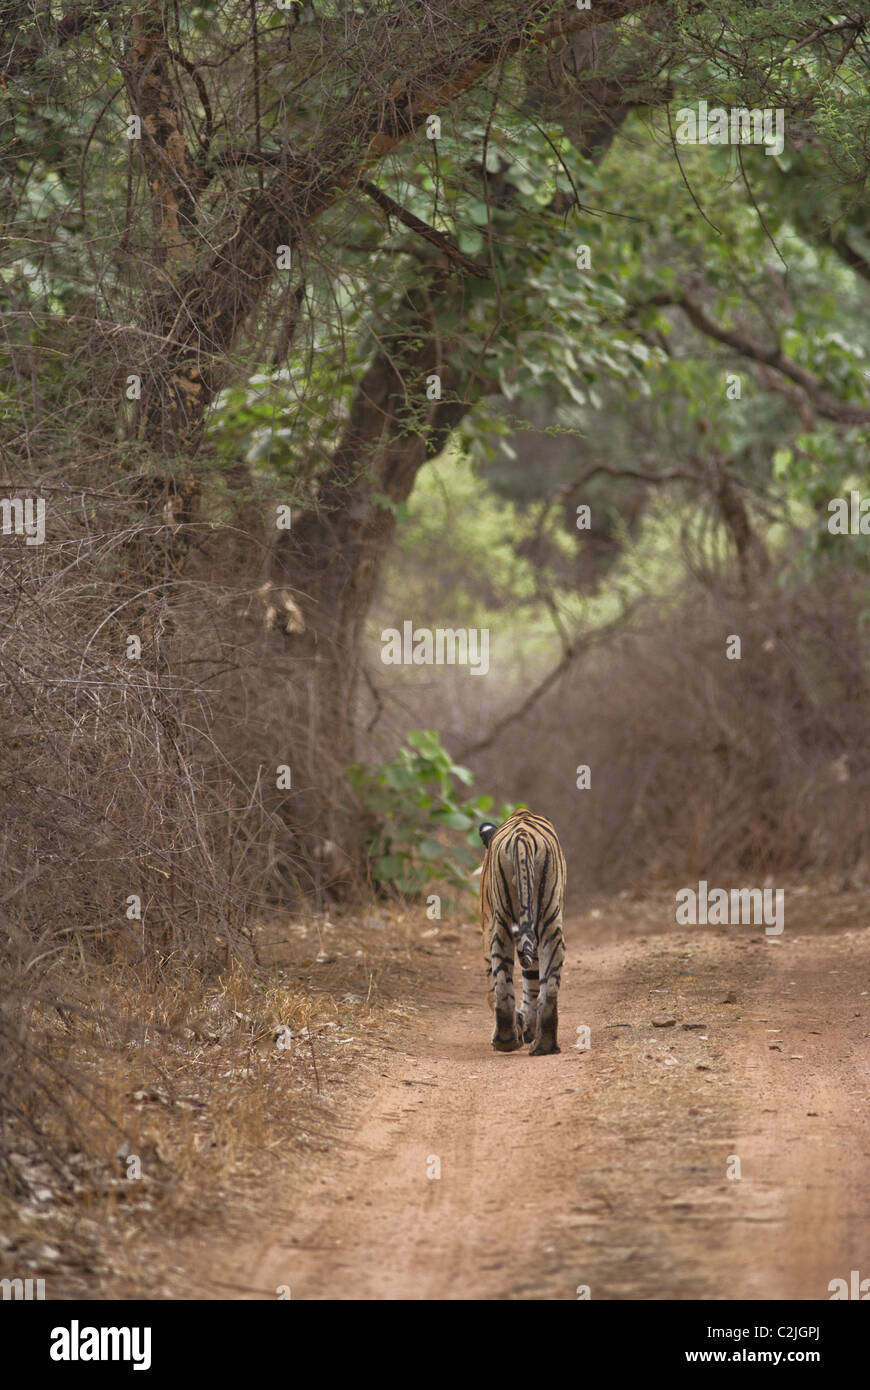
{"x": 704, "y": 767}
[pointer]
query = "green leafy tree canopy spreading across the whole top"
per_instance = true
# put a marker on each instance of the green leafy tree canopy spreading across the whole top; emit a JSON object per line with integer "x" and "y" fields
{"x": 776, "y": 250}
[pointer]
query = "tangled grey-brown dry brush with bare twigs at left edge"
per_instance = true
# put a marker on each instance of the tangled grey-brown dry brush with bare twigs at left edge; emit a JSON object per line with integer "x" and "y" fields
{"x": 151, "y": 779}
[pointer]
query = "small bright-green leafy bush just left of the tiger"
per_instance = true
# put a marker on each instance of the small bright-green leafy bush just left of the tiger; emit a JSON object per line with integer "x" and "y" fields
{"x": 419, "y": 819}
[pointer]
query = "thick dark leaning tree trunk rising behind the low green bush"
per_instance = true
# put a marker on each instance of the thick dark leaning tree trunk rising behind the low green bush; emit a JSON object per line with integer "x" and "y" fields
{"x": 333, "y": 558}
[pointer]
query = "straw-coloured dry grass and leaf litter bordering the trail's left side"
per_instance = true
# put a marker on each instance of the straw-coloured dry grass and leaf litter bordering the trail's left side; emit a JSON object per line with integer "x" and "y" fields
{"x": 191, "y": 1081}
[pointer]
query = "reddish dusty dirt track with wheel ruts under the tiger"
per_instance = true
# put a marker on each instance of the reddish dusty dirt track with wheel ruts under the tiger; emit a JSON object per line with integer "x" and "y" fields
{"x": 608, "y": 1168}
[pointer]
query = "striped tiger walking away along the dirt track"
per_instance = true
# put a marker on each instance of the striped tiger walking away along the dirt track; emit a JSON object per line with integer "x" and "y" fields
{"x": 522, "y": 901}
